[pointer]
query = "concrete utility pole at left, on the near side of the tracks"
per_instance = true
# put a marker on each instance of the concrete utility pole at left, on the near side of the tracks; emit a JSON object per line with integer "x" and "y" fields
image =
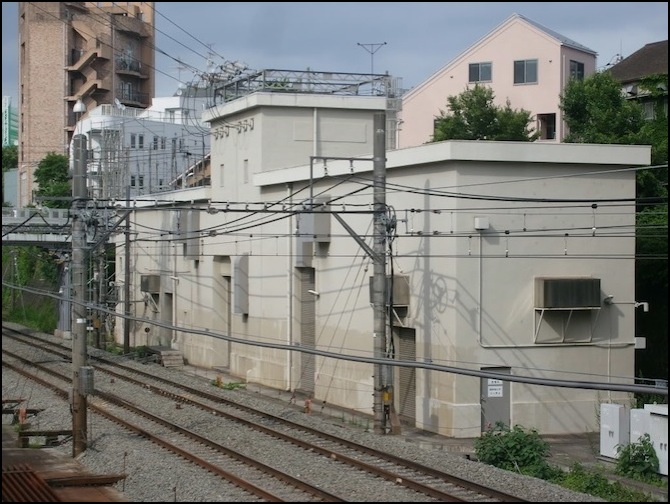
{"x": 79, "y": 284}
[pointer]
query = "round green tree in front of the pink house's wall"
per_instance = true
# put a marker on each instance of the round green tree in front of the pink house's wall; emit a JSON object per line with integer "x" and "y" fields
{"x": 473, "y": 115}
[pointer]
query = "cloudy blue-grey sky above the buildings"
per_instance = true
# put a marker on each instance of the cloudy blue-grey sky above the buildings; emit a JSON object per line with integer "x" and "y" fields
{"x": 409, "y": 40}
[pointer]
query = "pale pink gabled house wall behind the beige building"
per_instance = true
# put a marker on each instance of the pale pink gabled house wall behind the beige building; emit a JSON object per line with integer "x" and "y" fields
{"x": 516, "y": 39}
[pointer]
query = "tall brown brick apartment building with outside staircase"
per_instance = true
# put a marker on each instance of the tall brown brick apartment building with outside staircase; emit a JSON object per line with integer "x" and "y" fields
{"x": 99, "y": 52}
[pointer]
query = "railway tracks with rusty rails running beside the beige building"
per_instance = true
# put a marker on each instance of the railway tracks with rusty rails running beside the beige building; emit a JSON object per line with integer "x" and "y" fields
{"x": 415, "y": 481}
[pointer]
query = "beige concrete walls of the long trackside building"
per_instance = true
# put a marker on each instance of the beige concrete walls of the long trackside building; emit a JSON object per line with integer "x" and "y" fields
{"x": 471, "y": 303}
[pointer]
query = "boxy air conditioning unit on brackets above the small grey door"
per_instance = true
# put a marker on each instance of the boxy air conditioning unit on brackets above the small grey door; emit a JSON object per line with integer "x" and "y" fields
{"x": 567, "y": 293}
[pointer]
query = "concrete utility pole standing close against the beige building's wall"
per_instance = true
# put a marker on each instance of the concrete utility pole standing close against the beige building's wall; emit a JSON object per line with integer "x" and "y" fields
{"x": 382, "y": 377}
